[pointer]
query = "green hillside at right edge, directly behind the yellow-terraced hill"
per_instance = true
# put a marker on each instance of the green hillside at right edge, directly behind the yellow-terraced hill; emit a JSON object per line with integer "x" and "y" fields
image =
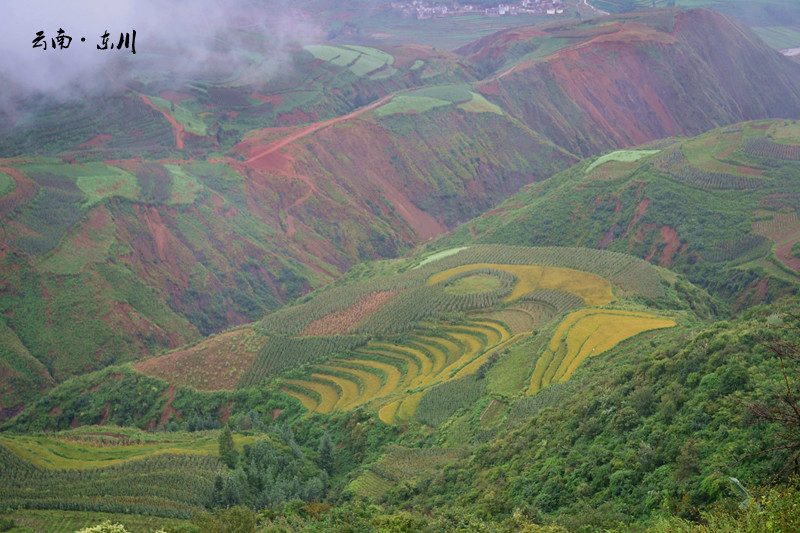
{"x": 718, "y": 208}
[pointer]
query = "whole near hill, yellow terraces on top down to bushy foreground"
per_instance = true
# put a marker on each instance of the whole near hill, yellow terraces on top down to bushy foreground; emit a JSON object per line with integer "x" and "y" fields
{"x": 440, "y": 407}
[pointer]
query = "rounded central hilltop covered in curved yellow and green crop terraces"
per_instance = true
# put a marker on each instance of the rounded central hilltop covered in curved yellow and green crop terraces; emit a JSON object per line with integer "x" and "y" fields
{"x": 386, "y": 342}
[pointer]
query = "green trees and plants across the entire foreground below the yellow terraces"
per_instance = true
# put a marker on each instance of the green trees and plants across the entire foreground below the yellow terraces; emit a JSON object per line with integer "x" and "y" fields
{"x": 646, "y": 435}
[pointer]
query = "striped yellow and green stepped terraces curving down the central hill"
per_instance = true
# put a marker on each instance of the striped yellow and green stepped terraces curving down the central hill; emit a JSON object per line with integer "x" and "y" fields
{"x": 386, "y": 371}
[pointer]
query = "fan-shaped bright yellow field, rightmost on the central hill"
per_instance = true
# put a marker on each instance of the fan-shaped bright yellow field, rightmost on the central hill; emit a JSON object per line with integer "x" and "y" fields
{"x": 586, "y": 333}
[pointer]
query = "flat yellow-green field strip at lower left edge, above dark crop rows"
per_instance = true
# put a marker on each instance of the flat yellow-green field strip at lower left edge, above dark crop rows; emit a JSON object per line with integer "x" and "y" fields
{"x": 65, "y": 452}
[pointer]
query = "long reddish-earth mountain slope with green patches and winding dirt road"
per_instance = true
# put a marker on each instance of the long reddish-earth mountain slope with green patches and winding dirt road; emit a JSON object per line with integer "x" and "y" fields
{"x": 172, "y": 212}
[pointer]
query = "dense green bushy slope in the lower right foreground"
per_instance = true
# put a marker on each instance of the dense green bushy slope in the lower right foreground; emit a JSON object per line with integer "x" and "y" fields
{"x": 661, "y": 429}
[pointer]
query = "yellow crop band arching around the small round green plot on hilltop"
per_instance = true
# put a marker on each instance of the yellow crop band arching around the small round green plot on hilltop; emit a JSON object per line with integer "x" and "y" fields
{"x": 594, "y": 289}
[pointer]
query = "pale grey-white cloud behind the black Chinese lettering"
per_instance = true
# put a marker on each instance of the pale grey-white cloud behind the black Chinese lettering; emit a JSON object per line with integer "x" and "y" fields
{"x": 179, "y": 39}
